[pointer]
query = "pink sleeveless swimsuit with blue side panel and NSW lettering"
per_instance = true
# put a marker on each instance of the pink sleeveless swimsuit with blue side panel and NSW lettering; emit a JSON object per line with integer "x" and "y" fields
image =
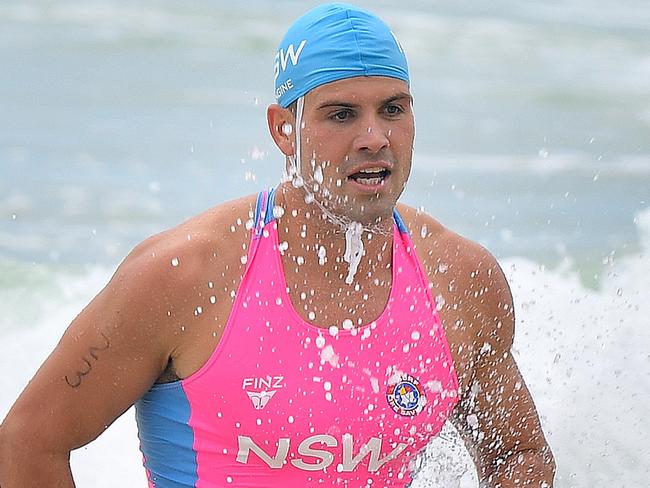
{"x": 282, "y": 402}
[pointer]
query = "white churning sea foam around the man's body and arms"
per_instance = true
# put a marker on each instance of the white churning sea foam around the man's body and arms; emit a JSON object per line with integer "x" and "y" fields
{"x": 583, "y": 353}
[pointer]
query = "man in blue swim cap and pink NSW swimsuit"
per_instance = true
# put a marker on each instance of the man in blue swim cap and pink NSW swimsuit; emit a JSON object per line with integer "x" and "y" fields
{"x": 292, "y": 338}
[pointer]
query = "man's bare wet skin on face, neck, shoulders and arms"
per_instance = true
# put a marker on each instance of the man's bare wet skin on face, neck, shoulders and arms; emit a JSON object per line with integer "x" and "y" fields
{"x": 143, "y": 327}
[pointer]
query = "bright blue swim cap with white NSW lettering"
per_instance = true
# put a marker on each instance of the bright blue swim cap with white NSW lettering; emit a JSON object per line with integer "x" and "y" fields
{"x": 332, "y": 42}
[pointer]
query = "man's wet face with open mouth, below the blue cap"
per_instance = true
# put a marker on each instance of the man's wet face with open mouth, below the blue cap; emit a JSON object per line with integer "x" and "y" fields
{"x": 358, "y": 133}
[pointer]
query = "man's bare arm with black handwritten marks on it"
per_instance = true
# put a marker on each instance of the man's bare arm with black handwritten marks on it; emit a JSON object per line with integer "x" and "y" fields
{"x": 108, "y": 357}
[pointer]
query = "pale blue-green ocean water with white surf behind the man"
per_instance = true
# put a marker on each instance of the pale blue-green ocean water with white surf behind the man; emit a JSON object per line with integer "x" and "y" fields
{"x": 118, "y": 120}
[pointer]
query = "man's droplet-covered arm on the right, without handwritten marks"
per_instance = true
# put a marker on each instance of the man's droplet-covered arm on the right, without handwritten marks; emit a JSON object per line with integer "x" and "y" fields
{"x": 497, "y": 417}
